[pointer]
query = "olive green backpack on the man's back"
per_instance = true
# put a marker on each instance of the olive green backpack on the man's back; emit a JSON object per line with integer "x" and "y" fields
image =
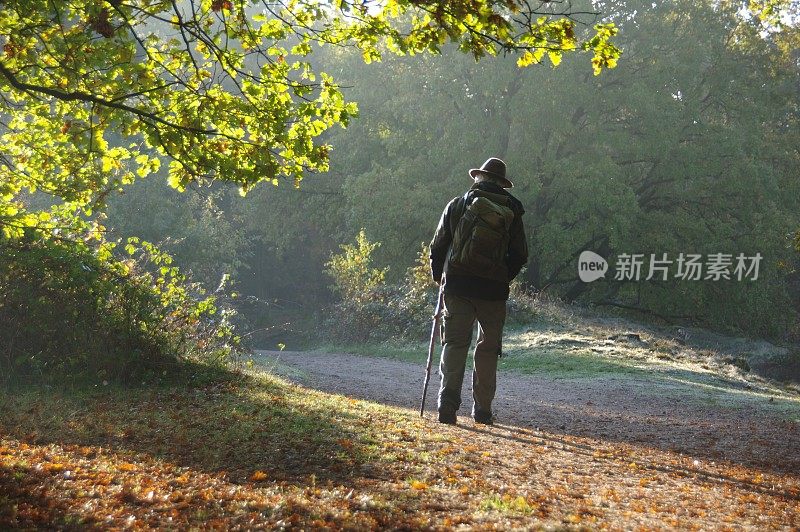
{"x": 481, "y": 236}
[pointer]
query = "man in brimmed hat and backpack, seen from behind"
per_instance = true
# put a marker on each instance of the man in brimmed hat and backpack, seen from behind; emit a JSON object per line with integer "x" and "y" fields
{"x": 478, "y": 248}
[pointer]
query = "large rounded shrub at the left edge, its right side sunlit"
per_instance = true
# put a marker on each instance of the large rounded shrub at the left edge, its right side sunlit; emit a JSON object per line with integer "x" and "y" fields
{"x": 71, "y": 308}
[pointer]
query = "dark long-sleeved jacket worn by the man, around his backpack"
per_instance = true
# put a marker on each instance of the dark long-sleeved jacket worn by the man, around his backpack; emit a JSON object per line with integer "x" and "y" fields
{"x": 468, "y": 285}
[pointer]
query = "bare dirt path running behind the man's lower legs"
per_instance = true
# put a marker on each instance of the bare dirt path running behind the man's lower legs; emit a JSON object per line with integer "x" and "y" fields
{"x": 705, "y": 421}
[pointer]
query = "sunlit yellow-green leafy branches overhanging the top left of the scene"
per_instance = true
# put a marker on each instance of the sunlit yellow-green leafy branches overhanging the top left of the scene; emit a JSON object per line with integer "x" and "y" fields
{"x": 96, "y": 93}
